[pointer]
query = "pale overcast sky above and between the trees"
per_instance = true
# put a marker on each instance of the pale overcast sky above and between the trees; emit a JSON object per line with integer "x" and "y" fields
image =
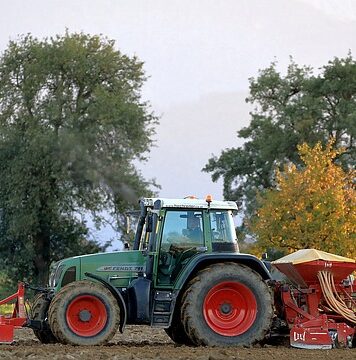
{"x": 199, "y": 55}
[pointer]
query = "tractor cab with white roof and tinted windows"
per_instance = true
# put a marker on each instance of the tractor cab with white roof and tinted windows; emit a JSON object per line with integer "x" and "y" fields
{"x": 173, "y": 231}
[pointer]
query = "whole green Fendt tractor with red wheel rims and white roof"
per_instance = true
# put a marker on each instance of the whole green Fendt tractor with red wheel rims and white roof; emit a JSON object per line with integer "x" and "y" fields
{"x": 184, "y": 274}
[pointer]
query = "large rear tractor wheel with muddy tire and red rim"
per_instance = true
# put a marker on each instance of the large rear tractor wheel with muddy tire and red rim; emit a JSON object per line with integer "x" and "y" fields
{"x": 246, "y": 313}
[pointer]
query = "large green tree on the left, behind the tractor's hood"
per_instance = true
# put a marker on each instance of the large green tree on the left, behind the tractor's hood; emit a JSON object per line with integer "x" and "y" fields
{"x": 72, "y": 123}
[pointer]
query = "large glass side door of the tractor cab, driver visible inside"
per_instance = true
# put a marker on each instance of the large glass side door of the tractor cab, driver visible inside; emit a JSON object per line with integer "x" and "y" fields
{"x": 182, "y": 237}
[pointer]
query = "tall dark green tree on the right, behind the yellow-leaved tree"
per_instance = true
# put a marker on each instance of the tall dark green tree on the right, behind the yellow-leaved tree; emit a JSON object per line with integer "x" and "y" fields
{"x": 289, "y": 110}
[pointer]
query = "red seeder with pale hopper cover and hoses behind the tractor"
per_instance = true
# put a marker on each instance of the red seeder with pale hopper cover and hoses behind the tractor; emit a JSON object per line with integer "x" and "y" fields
{"x": 319, "y": 301}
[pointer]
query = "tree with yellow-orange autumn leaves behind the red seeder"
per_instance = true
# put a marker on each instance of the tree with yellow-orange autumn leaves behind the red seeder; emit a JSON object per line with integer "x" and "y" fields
{"x": 312, "y": 207}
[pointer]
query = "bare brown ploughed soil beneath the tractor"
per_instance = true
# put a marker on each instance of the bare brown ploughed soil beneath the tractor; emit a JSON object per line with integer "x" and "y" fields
{"x": 141, "y": 342}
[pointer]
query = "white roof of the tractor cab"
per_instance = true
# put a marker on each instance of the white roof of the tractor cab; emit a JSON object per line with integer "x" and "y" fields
{"x": 190, "y": 203}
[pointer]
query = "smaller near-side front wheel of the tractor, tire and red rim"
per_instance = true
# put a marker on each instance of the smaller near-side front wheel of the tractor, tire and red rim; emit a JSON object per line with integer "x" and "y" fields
{"x": 84, "y": 313}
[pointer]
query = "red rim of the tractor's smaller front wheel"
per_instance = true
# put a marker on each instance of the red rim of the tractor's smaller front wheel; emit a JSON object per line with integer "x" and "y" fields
{"x": 86, "y": 315}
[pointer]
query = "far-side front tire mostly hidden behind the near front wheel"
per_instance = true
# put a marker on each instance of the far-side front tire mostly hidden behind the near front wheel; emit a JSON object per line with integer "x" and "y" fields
{"x": 39, "y": 311}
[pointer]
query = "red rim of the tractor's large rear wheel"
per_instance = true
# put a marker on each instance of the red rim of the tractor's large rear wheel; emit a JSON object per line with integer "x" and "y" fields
{"x": 230, "y": 308}
